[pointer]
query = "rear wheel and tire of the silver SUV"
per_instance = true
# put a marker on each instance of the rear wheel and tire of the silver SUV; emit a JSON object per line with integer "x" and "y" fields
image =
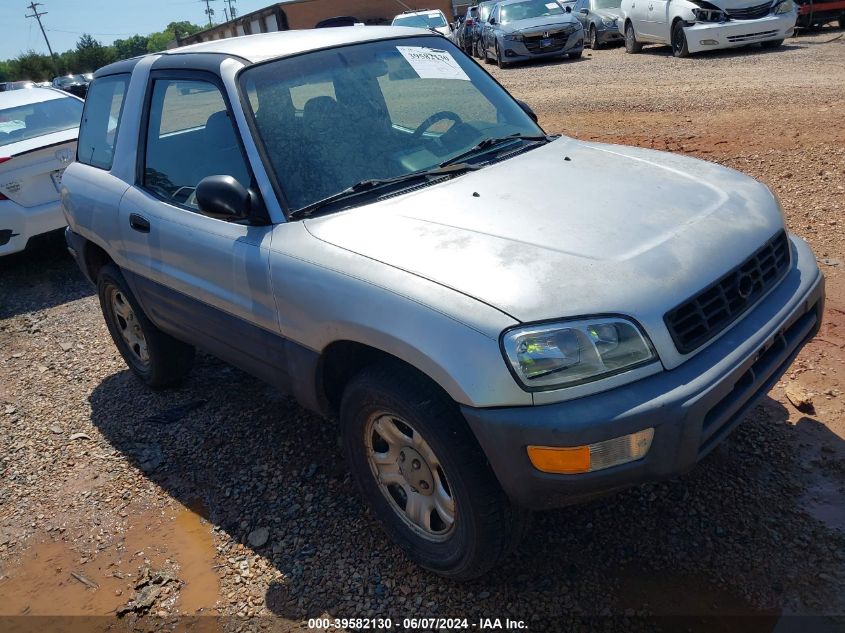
{"x": 167, "y": 361}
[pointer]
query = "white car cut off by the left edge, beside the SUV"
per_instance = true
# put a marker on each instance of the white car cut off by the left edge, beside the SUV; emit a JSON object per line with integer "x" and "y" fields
{"x": 38, "y": 133}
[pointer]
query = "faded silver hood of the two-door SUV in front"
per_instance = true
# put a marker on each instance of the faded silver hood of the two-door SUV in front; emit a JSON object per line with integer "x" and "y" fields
{"x": 570, "y": 228}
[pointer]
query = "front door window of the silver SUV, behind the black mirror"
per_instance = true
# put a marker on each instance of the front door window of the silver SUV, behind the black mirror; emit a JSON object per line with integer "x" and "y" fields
{"x": 190, "y": 135}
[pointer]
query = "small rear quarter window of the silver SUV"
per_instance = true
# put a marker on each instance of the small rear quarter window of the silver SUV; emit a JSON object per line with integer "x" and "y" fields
{"x": 101, "y": 121}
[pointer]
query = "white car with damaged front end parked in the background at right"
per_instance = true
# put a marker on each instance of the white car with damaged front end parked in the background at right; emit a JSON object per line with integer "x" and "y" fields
{"x": 691, "y": 26}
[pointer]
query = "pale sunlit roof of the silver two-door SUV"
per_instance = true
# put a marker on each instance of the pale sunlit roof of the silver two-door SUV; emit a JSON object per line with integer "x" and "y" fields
{"x": 264, "y": 46}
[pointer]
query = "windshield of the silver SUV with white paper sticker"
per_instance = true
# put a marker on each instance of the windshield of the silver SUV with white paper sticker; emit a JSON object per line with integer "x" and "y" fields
{"x": 333, "y": 118}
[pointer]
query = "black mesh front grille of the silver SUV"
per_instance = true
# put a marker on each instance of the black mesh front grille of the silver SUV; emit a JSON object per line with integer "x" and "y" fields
{"x": 702, "y": 317}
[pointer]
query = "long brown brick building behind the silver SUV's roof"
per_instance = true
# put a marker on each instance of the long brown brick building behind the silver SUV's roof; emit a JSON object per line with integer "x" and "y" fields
{"x": 305, "y": 14}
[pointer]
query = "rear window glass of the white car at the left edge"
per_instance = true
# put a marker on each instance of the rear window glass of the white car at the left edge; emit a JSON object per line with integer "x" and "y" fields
{"x": 37, "y": 119}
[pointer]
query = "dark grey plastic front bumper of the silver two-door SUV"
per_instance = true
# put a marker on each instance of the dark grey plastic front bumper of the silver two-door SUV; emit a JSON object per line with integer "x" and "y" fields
{"x": 691, "y": 408}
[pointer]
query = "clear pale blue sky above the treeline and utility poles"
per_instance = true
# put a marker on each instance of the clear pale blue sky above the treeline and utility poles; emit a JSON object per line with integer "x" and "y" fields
{"x": 106, "y": 20}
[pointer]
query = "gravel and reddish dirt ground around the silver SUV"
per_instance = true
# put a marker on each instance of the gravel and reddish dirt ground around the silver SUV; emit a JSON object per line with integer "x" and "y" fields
{"x": 224, "y": 497}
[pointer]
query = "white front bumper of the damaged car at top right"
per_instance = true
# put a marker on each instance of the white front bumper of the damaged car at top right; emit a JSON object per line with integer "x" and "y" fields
{"x": 733, "y": 33}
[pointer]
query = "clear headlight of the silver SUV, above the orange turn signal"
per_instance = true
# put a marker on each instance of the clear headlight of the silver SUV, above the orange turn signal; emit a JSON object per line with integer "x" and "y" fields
{"x": 561, "y": 354}
